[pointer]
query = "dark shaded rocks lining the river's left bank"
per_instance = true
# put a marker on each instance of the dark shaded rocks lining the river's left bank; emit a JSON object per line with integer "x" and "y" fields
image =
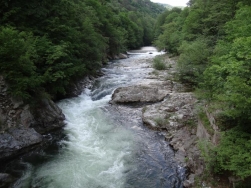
{"x": 23, "y": 127}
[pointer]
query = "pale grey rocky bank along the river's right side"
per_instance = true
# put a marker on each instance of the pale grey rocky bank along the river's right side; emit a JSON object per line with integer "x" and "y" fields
{"x": 164, "y": 105}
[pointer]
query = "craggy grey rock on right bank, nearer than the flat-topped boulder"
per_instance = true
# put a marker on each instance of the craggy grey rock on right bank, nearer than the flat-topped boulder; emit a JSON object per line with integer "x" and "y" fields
{"x": 176, "y": 115}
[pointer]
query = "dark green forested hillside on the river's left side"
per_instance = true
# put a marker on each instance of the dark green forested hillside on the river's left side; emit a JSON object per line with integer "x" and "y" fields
{"x": 47, "y": 44}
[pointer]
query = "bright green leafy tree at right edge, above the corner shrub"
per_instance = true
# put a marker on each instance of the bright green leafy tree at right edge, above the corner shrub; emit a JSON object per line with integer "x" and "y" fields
{"x": 228, "y": 78}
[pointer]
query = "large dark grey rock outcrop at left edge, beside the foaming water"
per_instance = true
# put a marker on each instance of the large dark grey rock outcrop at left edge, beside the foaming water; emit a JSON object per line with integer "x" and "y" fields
{"x": 21, "y": 125}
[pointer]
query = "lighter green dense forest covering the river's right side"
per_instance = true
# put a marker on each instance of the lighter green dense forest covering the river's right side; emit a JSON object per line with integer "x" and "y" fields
{"x": 212, "y": 40}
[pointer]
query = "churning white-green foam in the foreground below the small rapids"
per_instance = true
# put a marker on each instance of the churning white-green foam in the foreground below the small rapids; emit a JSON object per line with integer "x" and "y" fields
{"x": 93, "y": 156}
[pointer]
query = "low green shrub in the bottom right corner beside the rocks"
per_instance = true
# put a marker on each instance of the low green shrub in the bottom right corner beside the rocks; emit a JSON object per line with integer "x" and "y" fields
{"x": 232, "y": 154}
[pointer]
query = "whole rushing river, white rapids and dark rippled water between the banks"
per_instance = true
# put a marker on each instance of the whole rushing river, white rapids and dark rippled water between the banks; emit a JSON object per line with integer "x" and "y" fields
{"x": 105, "y": 147}
